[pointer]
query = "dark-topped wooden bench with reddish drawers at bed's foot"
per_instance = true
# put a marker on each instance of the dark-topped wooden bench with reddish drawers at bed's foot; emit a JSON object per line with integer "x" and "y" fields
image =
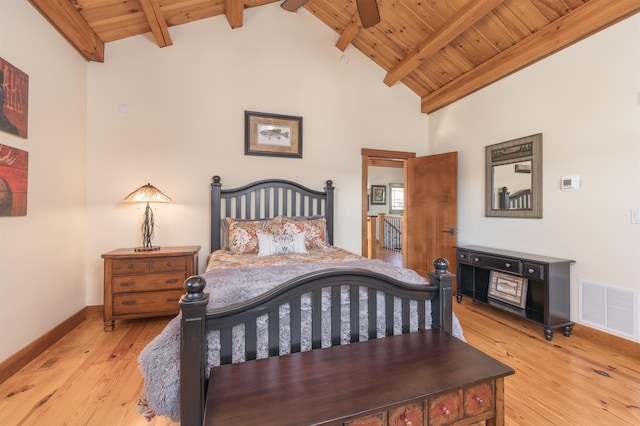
{"x": 427, "y": 377}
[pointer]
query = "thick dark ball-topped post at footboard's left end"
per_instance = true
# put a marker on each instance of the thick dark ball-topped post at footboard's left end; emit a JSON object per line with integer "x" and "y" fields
{"x": 193, "y": 306}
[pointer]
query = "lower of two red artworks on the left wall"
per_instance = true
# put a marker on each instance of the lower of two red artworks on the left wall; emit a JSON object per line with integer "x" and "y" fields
{"x": 14, "y": 171}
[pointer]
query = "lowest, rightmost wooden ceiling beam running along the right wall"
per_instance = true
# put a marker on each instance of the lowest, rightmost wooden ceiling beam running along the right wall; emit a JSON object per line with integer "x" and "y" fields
{"x": 584, "y": 21}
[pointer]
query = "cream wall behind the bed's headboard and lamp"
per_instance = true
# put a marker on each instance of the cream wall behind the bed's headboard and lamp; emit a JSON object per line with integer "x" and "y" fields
{"x": 185, "y": 123}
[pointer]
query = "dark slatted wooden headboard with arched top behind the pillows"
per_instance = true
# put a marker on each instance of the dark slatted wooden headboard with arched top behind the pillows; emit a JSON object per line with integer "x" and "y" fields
{"x": 267, "y": 199}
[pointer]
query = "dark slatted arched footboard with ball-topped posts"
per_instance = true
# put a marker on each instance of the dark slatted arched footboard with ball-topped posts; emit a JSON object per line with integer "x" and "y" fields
{"x": 197, "y": 322}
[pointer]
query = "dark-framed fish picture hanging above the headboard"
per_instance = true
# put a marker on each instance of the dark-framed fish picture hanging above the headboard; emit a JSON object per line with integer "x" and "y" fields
{"x": 272, "y": 134}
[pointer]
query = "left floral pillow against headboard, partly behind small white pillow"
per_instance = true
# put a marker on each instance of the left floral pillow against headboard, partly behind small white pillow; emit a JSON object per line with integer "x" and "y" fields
{"x": 243, "y": 233}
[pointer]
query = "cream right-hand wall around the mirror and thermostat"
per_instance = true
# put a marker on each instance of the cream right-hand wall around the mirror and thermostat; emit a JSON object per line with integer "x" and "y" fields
{"x": 585, "y": 100}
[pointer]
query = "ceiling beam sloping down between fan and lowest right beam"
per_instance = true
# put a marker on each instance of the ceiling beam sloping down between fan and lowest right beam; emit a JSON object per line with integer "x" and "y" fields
{"x": 469, "y": 14}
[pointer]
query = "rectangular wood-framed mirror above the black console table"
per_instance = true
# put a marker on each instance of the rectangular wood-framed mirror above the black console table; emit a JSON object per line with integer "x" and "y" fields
{"x": 514, "y": 178}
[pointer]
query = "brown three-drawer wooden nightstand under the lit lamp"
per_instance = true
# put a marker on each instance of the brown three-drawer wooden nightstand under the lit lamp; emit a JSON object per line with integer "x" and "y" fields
{"x": 142, "y": 284}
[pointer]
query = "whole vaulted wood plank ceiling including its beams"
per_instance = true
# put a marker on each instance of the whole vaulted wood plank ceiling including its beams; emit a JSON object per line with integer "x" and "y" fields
{"x": 442, "y": 50}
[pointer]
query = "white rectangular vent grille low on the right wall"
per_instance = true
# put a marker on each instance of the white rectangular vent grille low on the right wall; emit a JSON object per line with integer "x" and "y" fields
{"x": 609, "y": 308}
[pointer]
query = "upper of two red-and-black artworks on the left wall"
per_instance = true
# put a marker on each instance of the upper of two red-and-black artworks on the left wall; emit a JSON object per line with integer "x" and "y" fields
{"x": 14, "y": 99}
